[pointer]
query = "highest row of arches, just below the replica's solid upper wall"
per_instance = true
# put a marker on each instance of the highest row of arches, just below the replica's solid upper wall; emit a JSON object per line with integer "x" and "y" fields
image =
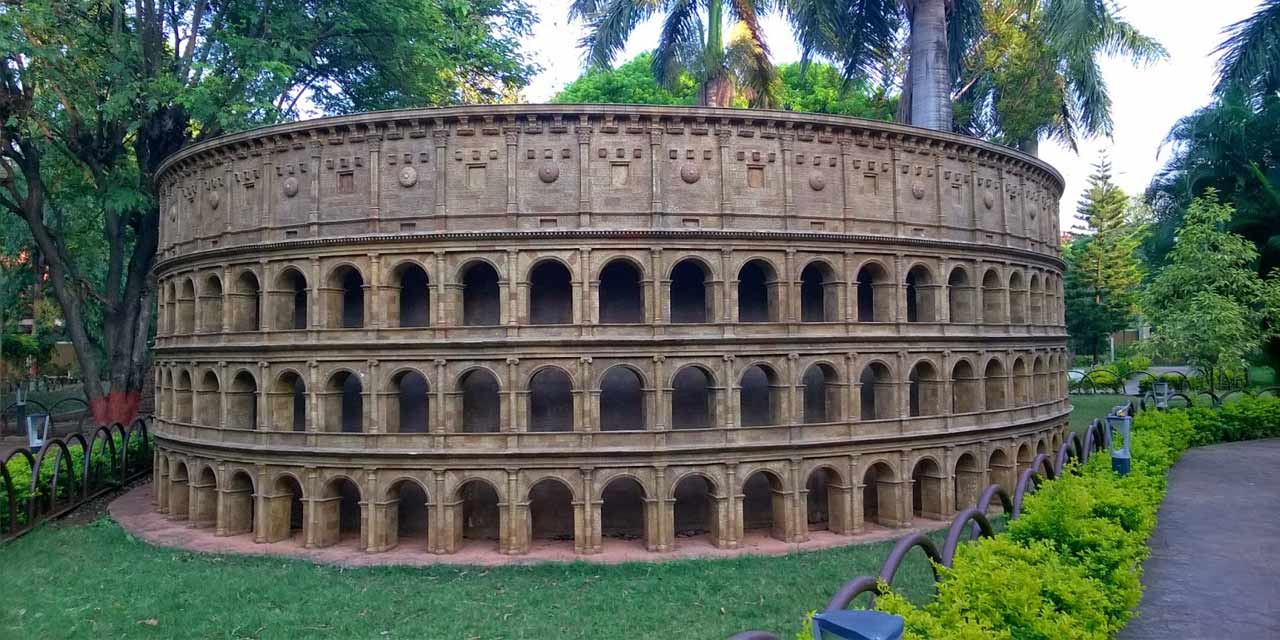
{"x": 482, "y": 292}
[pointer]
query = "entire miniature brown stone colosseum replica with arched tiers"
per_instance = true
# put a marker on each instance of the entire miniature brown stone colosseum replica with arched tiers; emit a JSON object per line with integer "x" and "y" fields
{"x": 502, "y": 327}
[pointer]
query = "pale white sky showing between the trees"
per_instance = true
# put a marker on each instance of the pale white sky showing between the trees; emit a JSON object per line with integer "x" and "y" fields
{"x": 1146, "y": 103}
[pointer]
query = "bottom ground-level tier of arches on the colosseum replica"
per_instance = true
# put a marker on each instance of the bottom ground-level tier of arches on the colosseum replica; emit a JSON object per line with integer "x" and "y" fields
{"x": 657, "y": 509}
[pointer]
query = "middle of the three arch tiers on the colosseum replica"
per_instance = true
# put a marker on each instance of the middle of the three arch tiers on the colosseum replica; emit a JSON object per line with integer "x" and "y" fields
{"x": 614, "y": 396}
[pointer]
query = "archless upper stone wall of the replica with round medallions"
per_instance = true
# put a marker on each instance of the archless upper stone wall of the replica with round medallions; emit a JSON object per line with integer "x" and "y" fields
{"x": 604, "y": 167}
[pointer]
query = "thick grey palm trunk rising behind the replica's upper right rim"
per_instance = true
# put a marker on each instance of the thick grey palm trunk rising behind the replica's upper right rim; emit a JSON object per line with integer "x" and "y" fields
{"x": 930, "y": 75}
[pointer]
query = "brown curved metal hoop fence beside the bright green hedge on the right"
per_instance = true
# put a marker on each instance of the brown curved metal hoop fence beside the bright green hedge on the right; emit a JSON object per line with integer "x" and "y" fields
{"x": 968, "y": 524}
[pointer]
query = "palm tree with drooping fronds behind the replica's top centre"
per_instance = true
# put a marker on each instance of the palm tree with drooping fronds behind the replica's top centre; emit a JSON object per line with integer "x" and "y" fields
{"x": 692, "y": 42}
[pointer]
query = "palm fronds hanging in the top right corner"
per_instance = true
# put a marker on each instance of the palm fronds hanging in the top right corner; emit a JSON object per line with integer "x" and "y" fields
{"x": 1250, "y": 56}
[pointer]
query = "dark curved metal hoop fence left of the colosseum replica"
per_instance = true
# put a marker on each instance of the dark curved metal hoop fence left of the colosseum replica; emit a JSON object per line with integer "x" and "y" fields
{"x": 68, "y": 472}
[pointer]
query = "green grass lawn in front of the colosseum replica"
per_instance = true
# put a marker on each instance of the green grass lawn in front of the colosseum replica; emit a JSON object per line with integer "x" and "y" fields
{"x": 98, "y": 582}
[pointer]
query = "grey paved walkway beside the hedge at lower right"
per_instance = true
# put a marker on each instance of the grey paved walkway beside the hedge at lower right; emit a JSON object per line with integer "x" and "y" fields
{"x": 1215, "y": 557}
